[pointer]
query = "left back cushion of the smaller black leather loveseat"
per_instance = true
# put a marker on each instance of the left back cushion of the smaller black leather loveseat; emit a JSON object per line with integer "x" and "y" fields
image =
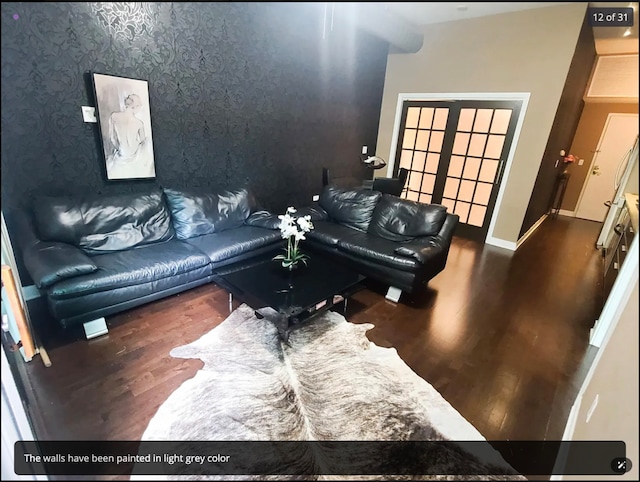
{"x": 349, "y": 207}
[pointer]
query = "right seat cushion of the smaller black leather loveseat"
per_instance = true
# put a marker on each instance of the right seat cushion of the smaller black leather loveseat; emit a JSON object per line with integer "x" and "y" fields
{"x": 378, "y": 250}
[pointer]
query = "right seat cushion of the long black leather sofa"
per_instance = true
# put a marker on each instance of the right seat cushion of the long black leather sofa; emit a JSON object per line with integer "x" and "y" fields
{"x": 235, "y": 242}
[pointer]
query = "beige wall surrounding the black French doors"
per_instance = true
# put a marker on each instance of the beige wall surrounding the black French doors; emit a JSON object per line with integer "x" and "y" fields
{"x": 527, "y": 51}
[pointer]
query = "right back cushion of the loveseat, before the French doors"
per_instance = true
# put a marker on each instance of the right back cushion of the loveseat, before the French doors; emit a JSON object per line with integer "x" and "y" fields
{"x": 403, "y": 220}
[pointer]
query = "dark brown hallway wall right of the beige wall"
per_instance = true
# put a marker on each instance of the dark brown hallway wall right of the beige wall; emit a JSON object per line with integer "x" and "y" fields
{"x": 564, "y": 127}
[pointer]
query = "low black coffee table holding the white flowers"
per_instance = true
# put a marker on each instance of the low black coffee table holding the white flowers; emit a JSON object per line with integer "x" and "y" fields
{"x": 289, "y": 298}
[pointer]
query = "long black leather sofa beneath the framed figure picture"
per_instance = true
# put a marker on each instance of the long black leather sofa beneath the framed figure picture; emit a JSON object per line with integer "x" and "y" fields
{"x": 94, "y": 257}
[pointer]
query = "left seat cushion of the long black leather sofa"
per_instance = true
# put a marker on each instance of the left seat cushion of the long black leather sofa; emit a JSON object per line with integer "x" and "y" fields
{"x": 133, "y": 267}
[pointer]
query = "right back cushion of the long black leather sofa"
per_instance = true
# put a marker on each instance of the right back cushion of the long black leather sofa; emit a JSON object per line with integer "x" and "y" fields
{"x": 197, "y": 214}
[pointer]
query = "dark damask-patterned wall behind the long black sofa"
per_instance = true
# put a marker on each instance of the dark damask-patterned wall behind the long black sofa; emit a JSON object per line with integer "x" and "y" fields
{"x": 240, "y": 93}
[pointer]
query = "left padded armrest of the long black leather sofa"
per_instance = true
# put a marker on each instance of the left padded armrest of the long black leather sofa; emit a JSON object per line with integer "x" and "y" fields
{"x": 50, "y": 262}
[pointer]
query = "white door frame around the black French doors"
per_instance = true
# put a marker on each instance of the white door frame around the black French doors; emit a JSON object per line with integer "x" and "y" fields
{"x": 517, "y": 96}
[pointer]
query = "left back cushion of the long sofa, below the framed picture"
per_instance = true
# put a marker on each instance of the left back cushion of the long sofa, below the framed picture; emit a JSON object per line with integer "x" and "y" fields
{"x": 104, "y": 224}
